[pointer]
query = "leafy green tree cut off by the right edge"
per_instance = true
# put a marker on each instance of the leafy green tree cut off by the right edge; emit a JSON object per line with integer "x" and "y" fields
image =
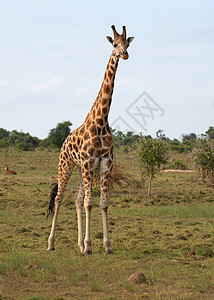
{"x": 204, "y": 158}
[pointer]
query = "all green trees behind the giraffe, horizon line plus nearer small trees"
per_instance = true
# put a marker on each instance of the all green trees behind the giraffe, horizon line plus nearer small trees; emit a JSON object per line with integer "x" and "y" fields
{"x": 153, "y": 152}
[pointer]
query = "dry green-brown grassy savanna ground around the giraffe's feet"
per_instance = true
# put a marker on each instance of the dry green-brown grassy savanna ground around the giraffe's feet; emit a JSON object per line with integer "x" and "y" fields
{"x": 169, "y": 238}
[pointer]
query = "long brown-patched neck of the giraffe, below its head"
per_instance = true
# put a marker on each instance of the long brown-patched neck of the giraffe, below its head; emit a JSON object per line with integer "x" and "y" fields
{"x": 100, "y": 109}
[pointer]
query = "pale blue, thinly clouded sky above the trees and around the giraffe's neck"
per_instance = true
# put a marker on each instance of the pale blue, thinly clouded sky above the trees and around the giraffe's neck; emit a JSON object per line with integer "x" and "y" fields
{"x": 53, "y": 55}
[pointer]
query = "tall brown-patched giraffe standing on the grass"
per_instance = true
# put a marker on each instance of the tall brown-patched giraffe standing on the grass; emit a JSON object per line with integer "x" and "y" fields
{"x": 86, "y": 148}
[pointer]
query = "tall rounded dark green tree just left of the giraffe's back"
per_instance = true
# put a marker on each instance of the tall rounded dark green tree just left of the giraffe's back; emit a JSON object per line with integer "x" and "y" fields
{"x": 58, "y": 134}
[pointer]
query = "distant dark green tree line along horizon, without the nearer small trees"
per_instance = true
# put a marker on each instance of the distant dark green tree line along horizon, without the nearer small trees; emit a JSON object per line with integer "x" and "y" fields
{"x": 25, "y": 142}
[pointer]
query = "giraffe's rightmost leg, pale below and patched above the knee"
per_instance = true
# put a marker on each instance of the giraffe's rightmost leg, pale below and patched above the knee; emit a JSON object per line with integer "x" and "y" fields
{"x": 106, "y": 166}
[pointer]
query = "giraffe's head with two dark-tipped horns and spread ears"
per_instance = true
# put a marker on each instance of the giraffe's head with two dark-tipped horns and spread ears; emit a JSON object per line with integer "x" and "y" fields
{"x": 120, "y": 43}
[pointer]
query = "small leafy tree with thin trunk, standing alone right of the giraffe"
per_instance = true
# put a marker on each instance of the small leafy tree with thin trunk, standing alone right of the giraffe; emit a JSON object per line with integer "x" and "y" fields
{"x": 152, "y": 157}
